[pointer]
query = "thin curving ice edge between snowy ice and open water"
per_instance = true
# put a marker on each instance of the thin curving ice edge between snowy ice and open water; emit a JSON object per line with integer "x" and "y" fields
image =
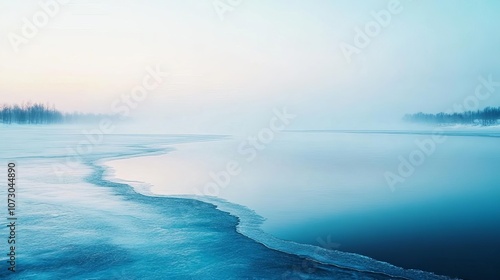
{"x": 249, "y": 225}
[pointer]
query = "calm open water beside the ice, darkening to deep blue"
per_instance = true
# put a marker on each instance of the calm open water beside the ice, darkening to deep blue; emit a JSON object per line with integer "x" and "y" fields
{"x": 443, "y": 218}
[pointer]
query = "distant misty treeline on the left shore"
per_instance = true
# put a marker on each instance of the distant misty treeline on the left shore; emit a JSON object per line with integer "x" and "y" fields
{"x": 39, "y": 113}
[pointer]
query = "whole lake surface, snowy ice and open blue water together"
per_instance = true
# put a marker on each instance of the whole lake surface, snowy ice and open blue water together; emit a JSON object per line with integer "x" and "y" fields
{"x": 324, "y": 189}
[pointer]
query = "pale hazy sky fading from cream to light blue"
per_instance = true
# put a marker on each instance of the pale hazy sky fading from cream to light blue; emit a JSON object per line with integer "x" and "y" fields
{"x": 265, "y": 54}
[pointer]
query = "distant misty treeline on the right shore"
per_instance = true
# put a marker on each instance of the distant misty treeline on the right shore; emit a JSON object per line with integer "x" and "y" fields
{"x": 486, "y": 117}
